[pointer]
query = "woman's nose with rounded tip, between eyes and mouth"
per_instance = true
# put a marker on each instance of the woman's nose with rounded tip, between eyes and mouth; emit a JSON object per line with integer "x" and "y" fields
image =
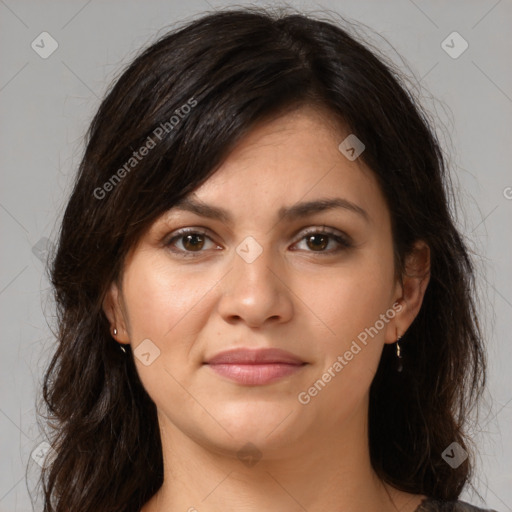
{"x": 256, "y": 291}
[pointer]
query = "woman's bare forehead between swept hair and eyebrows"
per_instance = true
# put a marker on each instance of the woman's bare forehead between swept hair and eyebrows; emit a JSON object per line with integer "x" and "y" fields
{"x": 286, "y": 160}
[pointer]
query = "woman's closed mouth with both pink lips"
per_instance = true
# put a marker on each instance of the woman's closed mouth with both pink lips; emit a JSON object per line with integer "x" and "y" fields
{"x": 255, "y": 367}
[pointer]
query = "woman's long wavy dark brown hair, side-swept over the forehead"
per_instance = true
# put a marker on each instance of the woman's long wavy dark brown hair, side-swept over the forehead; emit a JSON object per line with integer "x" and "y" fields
{"x": 234, "y": 68}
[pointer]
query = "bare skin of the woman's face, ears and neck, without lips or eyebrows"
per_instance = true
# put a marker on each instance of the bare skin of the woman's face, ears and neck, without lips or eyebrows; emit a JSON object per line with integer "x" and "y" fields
{"x": 294, "y": 296}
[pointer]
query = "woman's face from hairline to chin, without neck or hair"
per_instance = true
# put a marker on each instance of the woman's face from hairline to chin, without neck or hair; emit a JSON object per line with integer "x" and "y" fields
{"x": 257, "y": 279}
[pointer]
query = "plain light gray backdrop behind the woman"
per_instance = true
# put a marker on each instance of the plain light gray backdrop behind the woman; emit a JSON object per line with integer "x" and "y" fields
{"x": 46, "y": 105}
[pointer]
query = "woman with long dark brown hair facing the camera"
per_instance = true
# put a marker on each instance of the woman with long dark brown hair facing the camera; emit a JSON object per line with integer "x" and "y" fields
{"x": 263, "y": 301}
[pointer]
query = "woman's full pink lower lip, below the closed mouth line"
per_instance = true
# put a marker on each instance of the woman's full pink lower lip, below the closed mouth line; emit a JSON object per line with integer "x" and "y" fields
{"x": 255, "y": 374}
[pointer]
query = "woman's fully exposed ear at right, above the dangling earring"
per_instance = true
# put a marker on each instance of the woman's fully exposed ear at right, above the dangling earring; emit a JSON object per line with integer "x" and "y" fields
{"x": 411, "y": 291}
